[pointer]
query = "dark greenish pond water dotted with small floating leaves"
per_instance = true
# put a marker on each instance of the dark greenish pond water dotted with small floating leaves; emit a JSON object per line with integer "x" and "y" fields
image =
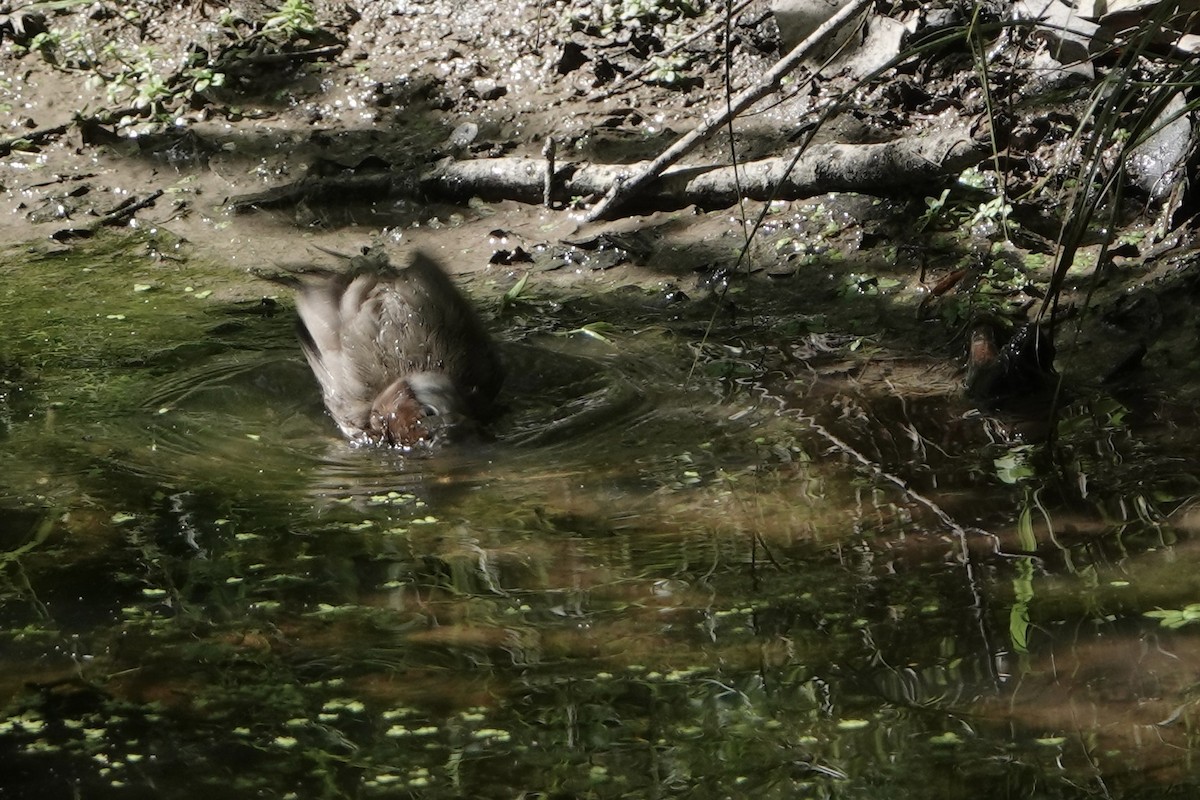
{"x": 740, "y": 567}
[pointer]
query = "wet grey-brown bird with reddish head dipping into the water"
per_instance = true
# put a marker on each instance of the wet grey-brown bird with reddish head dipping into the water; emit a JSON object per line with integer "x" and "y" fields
{"x": 401, "y": 357}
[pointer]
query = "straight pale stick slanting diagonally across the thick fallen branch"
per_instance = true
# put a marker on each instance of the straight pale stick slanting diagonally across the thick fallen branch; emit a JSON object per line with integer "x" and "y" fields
{"x": 622, "y": 190}
